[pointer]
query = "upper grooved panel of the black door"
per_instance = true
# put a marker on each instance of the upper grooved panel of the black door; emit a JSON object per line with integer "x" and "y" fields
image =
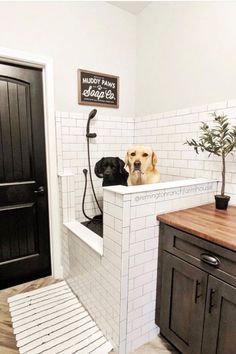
{"x": 16, "y": 132}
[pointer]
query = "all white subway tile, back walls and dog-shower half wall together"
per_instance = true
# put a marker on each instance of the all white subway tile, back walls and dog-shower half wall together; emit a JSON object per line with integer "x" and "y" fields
{"x": 119, "y": 288}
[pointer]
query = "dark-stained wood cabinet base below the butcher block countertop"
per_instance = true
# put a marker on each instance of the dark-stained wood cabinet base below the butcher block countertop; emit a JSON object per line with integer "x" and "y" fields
{"x": 196, "y": 293}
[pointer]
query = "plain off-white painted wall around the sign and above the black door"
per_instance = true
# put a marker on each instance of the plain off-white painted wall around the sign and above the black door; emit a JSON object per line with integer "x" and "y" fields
{"x": 89, "y": 35}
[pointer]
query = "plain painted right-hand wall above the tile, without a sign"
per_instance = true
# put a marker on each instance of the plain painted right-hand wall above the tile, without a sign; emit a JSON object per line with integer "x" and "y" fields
{"x": 185, "y": 55}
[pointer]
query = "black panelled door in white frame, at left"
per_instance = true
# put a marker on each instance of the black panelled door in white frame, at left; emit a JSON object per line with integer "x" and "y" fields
{"x": 24, "y": 227}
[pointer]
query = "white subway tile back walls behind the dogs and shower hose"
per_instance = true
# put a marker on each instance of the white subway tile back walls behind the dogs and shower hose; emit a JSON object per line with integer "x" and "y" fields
{"x": 165, "y": 132}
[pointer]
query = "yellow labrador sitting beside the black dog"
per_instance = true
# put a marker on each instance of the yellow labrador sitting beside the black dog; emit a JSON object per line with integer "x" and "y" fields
{"x": 141, "y": 161}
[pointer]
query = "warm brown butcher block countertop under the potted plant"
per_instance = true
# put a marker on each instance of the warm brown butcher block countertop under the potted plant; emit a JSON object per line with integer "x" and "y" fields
{"x": 218, "y": 226}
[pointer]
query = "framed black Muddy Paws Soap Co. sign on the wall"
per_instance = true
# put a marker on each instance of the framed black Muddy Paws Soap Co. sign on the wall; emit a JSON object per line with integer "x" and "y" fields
{"x": 97, "y": 89}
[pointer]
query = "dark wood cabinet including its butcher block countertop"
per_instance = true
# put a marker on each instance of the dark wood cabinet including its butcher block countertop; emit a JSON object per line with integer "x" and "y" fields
{"x": 196, "y": 280}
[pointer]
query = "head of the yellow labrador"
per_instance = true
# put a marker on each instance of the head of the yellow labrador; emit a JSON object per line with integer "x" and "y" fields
{"x": 140, "y": 159}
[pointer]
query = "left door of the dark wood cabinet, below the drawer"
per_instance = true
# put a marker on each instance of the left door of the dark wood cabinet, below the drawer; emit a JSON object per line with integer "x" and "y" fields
{"x": 182, "y": 304}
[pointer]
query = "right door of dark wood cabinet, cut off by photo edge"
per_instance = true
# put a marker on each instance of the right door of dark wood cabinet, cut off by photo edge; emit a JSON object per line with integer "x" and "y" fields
{"x": 220, "y": 319}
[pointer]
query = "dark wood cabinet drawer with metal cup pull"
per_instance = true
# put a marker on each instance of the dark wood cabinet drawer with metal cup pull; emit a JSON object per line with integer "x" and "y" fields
{"x": 200, "y": 253}
